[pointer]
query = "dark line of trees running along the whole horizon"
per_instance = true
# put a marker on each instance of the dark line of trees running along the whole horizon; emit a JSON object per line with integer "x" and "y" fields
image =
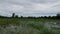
{"x": 16, "y": 16}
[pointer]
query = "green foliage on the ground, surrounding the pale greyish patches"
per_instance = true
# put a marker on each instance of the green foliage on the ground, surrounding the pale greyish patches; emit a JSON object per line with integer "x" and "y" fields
{"x": 27, "y": 24}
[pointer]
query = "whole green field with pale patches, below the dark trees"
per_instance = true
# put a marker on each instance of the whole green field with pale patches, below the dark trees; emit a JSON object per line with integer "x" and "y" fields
{"x": 28, "y": 26}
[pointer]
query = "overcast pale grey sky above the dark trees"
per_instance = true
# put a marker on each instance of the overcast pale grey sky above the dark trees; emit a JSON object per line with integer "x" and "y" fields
{"x": 29, "y": 7}
